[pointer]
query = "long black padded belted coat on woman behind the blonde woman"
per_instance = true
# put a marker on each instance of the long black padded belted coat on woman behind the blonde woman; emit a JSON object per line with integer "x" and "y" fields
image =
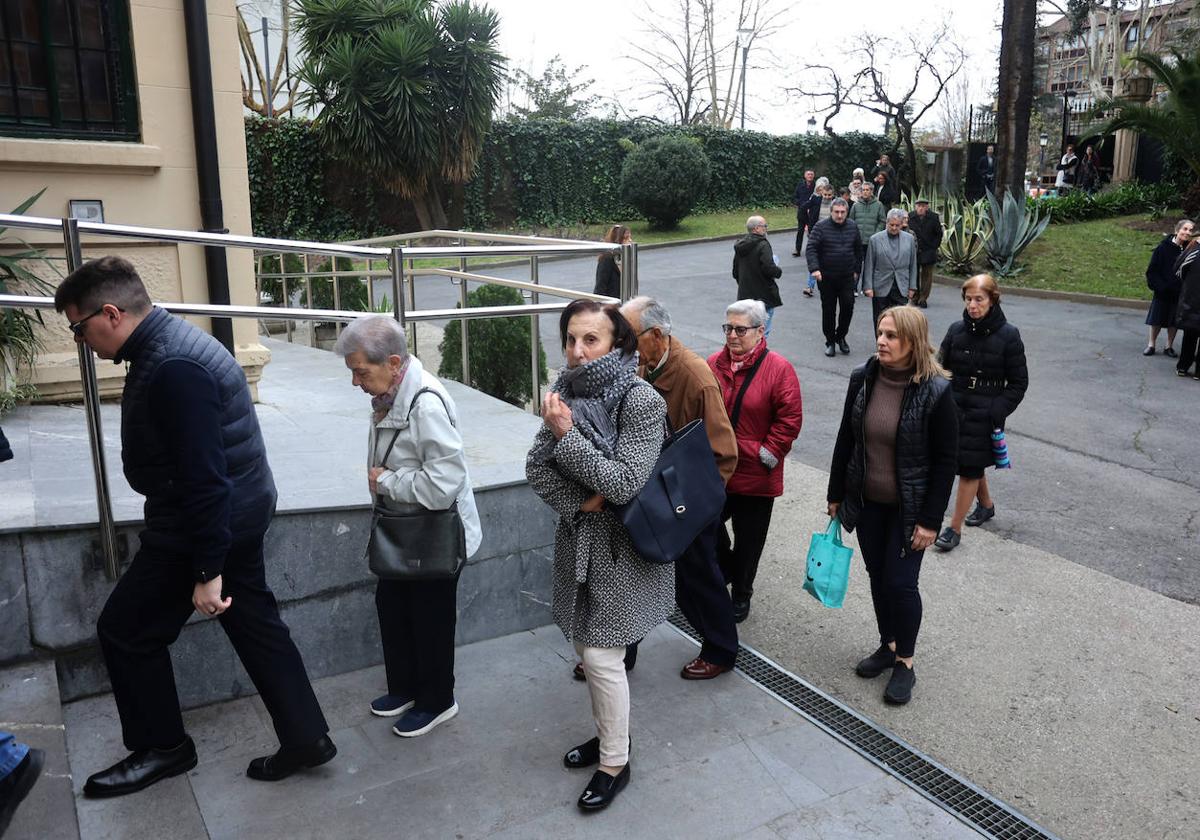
{"x": 987, "y": 362}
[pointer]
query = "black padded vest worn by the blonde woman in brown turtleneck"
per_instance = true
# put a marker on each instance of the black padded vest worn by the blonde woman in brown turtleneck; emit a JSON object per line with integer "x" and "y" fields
{"x": 913, "y": 447}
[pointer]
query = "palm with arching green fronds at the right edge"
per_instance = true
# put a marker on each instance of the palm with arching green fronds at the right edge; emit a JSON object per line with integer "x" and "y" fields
{"x": 1175, "y": 118}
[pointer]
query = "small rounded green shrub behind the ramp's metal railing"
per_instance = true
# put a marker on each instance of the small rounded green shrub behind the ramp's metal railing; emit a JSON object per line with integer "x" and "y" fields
{"x": 500, "y": 349}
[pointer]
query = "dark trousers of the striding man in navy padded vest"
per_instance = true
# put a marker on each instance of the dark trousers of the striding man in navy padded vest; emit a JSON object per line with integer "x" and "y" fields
{"x": 143, "y": 619}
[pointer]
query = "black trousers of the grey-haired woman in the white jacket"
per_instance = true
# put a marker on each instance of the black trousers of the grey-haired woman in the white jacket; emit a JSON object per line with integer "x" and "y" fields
{"x": 417, "y": 623}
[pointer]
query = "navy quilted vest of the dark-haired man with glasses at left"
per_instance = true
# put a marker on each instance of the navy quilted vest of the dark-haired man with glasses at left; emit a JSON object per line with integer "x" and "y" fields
{"x": 145, "y": 455}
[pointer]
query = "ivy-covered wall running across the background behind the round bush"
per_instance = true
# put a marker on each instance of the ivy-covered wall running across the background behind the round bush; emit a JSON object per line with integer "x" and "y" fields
{"x": 532, "y": 173}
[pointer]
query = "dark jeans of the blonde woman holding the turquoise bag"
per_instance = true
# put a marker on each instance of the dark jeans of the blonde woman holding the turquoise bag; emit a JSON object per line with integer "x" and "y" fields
{"x": 893, "y": 568}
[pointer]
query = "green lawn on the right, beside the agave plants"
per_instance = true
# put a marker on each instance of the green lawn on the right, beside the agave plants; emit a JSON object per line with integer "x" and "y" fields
{"x": 1106, "y": 257}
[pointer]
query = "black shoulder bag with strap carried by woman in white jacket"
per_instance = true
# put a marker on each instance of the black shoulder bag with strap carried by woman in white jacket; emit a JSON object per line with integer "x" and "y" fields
{"x": 418, "y": 545}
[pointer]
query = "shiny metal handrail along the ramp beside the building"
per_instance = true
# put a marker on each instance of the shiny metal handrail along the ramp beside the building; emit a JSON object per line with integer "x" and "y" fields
{"x": 404, "y": 311}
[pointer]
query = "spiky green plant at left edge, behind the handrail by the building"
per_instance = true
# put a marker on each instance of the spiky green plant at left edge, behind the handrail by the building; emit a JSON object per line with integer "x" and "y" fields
{"x": 20, "y": 341}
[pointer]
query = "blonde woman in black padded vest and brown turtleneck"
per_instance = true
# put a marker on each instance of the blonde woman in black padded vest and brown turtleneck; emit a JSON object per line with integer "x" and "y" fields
{"x": 891, "y": 481}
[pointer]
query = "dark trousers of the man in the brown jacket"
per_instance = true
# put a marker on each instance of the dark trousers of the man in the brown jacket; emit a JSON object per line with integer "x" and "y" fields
{"x": 701, "y": 595}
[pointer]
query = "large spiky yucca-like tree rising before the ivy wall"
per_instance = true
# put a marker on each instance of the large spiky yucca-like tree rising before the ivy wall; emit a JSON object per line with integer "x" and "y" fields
{"x": 405, "y": 88}
